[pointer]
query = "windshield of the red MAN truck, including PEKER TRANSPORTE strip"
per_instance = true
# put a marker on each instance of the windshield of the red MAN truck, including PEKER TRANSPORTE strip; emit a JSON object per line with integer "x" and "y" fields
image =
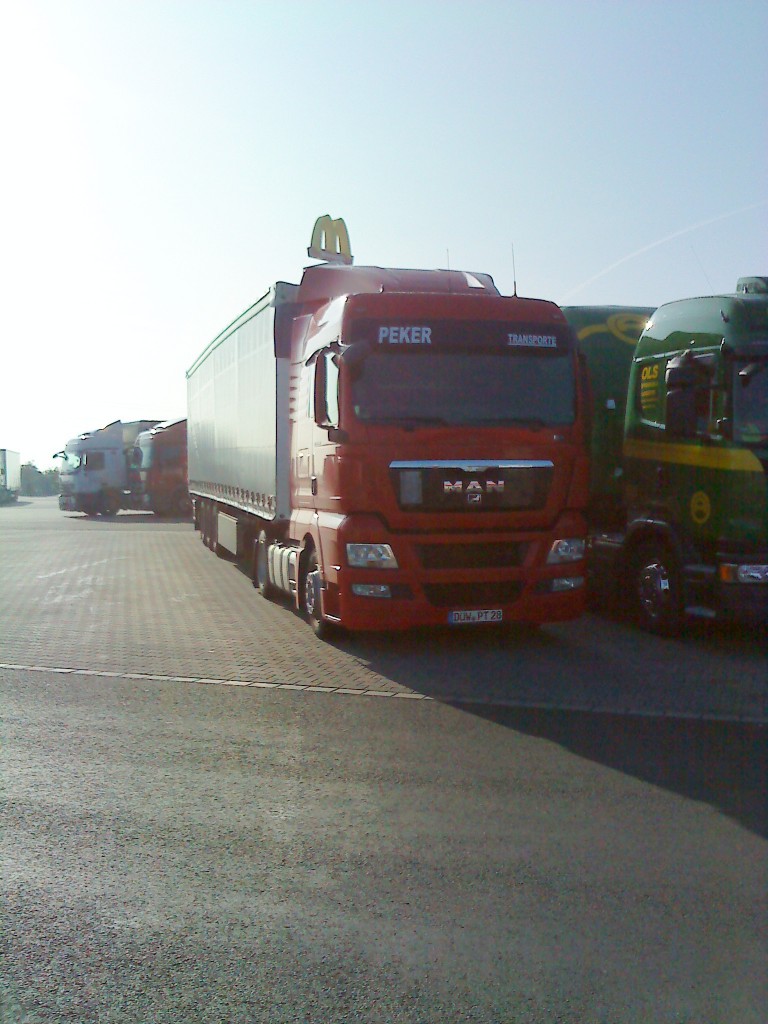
{"x": 466, "y": 374}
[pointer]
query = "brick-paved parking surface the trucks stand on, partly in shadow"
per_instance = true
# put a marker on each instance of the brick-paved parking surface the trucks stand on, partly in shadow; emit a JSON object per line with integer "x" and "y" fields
{"x": 140, "y": 596}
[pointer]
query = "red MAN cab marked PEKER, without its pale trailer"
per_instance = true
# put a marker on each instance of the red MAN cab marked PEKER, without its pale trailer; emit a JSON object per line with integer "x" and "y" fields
{"x": 440, "y": 454}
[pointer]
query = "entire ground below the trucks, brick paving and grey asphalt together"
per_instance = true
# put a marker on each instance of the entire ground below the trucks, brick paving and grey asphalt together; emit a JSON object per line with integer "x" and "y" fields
{"x": 420, "y": 829}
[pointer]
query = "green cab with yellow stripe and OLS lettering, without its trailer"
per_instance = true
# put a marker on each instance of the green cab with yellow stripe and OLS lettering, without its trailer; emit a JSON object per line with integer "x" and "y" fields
{"x": 696, "y": 458}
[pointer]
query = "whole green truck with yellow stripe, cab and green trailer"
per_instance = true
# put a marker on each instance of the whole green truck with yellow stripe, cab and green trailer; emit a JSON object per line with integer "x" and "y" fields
{"x": 679, "y": 484}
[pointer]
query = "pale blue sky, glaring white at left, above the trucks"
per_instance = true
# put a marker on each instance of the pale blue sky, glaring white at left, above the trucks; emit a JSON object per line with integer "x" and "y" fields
{"x": 164, "y": 162}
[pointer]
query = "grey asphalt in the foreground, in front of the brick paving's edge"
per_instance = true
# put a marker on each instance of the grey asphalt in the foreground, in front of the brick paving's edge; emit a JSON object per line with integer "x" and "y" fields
{"x": 187, "y": 854}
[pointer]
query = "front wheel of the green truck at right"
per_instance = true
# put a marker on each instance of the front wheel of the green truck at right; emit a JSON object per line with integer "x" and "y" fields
{"x": 656, "y": 589}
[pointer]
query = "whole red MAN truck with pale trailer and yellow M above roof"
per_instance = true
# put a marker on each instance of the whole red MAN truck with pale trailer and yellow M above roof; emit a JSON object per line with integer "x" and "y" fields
{"x": 396, "y": 449}
